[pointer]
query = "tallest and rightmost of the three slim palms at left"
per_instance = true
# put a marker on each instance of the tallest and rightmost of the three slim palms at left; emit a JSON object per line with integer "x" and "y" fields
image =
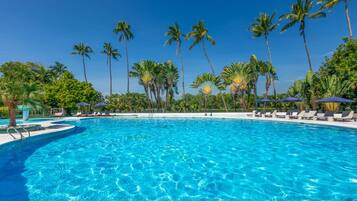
{"x": 123, "y": 30}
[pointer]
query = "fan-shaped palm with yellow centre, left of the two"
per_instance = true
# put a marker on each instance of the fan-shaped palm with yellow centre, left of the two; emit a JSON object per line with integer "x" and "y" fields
{"x": 206, "y": 81}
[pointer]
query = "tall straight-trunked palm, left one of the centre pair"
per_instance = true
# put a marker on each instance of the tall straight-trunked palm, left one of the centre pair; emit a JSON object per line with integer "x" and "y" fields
{"x": 174, "y": 33}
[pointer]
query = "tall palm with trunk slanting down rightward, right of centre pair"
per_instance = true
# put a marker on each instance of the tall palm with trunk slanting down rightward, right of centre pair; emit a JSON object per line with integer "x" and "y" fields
{"x": 199, "y": 34}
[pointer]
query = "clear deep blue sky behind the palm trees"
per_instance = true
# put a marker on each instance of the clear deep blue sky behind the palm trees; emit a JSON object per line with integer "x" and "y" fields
{"x": 45, "y": 31}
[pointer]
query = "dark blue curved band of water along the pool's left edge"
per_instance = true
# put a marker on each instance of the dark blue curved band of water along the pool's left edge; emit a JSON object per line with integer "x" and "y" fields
{"x": 12, "y": 164}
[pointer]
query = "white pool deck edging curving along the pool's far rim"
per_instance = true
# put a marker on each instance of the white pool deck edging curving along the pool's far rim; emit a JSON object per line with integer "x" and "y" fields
{"x": 51, "y": 126}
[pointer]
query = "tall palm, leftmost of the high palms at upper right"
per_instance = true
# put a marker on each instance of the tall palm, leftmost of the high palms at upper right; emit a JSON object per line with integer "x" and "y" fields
{"x": 262, "y": 27}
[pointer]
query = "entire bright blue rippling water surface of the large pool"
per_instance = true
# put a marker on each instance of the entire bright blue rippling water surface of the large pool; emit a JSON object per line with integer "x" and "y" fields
{"x": 183, "y": 159}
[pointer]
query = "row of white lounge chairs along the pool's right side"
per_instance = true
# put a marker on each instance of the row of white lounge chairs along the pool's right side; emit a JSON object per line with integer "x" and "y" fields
{"x": 308, "y": 115}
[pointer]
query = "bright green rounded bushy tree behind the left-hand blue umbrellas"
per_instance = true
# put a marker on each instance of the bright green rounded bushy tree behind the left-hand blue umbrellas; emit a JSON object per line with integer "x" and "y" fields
{"x": 66, "y": 92}
